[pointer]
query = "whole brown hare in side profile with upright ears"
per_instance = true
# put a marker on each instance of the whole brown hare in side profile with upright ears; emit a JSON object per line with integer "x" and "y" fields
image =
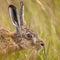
{"x": 22, "y": 38}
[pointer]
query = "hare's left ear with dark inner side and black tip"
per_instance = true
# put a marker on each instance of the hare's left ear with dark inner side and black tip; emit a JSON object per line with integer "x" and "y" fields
{"x": 13, "y": 15}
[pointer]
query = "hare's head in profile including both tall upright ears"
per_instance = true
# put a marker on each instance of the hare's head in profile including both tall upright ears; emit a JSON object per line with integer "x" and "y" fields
{"x": 24, "y": 37}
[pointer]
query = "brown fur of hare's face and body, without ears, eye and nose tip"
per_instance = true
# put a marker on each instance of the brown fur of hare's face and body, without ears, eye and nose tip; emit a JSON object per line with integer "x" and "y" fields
{"x": 11, "y": 41}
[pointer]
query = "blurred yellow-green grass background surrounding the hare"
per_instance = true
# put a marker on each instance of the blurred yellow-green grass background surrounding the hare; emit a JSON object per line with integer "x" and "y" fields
{"x": 42, "y": 16}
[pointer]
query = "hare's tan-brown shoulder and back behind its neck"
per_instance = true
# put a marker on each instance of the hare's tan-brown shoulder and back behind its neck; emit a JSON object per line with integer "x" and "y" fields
{"x": 6, "y": 42}
